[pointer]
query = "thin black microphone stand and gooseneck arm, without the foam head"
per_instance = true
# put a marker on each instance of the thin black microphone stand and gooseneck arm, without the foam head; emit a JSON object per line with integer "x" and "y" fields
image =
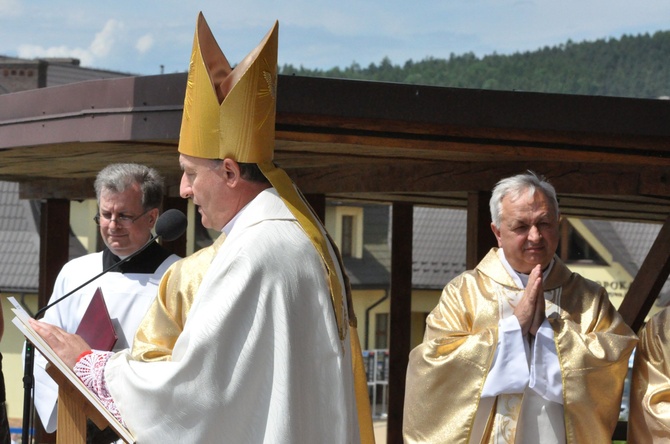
{"x": 29, "y": 359}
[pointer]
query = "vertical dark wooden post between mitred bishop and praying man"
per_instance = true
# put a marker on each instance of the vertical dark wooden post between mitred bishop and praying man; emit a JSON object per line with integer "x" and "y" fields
{"x": 401, "y": 315}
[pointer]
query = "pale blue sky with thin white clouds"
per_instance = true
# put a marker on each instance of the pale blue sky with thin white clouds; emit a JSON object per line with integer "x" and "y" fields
{"x": 147, "y": 37}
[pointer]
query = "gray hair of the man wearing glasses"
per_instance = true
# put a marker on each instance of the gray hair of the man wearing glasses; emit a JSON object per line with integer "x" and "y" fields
{"x": 118, "y": 177}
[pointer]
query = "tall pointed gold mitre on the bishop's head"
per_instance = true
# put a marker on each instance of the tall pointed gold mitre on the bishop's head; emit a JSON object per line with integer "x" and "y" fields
{"x": 230, "y": 113}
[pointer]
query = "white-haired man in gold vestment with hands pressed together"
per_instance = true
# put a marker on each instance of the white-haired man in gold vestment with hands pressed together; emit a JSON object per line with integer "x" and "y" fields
{"x": 520, "y": 349}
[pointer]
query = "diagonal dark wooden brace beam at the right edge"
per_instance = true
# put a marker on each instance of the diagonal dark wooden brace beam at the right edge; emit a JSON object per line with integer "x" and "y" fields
{"x": 648, "y": 281}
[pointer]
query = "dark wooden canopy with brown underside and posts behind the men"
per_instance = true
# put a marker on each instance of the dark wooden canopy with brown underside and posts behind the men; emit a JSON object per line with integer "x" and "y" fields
{"x": 402, "y": 144}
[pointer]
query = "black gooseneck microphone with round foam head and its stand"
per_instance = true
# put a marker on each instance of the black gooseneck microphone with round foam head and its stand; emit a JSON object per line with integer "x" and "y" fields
{"x": 169, "y": 226}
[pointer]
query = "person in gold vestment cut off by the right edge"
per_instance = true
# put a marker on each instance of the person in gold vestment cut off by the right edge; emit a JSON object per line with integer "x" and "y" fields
{"x": 649, "y": 417}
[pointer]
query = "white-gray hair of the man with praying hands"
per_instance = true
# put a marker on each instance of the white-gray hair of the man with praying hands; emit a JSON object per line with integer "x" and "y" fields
{"x": 514, "y": 186}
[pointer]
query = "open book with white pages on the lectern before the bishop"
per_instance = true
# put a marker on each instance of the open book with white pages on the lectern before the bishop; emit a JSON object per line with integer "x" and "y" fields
{"x": 21, "y": 321}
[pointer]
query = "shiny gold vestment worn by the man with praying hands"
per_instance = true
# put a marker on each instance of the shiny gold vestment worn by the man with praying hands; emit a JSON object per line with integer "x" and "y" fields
{"x": 446, "y": 373}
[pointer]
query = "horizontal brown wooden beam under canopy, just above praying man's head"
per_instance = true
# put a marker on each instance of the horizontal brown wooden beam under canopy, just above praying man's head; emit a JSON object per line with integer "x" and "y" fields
{"x": 412, "y": 176}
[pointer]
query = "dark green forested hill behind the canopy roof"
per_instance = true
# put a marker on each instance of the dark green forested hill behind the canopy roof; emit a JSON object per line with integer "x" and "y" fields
{"x": 633, "y": 66}
